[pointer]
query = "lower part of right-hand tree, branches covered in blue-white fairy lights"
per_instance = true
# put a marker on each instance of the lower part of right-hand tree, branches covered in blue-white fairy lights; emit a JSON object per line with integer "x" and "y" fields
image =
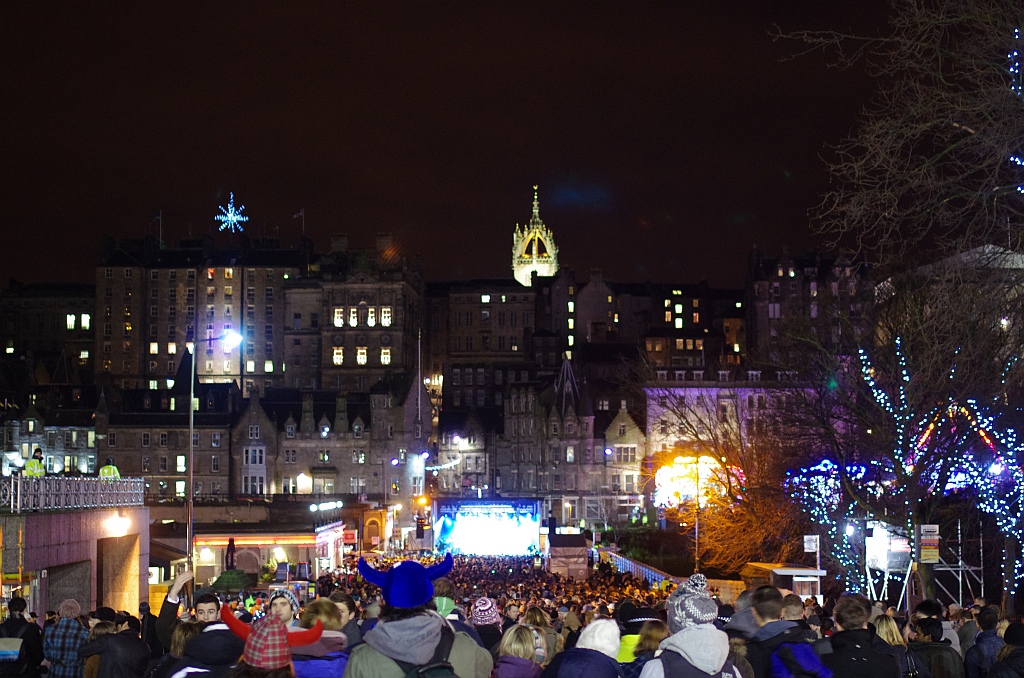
{"x": 901, "y": 456}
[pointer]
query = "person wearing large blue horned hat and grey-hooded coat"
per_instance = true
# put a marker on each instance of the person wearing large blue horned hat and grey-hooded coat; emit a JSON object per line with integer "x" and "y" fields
{"x": 410, "y": 632}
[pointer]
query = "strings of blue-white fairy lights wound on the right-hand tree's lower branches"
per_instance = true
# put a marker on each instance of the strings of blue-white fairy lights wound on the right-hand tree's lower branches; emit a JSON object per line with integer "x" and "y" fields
{"x": 993, "y": 471}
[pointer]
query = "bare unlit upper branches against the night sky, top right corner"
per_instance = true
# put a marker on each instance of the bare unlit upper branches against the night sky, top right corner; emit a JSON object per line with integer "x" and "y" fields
{"x": 934, "y": 168}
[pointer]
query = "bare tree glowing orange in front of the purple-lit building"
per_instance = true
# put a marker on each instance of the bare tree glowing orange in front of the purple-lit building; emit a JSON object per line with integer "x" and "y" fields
{"x": 732, "y": 438}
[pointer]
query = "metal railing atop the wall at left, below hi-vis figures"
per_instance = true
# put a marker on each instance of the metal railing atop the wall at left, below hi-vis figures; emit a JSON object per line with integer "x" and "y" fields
{"x": 20, "y": 494}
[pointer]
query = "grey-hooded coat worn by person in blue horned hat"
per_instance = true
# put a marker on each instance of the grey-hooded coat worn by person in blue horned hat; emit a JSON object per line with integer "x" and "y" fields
{"x": 414, "y": 641}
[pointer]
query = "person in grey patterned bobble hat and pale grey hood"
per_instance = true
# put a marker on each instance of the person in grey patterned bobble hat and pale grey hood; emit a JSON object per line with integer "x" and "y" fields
{"x": 696, "y": 643}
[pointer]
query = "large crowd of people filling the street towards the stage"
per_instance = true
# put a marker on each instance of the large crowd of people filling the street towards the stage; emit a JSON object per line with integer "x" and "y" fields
{"x": 503, "y": 618}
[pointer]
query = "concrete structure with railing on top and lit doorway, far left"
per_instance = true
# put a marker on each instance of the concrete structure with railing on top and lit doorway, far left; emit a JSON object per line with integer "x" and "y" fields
{"x": 81, "y": 538}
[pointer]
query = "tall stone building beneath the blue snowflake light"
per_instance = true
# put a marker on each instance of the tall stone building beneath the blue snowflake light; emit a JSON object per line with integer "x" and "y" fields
{"x": 151, "y": 302}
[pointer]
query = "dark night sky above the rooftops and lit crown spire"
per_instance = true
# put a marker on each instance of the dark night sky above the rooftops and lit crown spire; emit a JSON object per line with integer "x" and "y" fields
{"x": 667, "y": 140}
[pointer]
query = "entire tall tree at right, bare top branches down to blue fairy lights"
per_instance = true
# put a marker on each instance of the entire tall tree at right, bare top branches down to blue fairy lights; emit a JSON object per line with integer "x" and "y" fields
{"x": 929, "y": 192}
